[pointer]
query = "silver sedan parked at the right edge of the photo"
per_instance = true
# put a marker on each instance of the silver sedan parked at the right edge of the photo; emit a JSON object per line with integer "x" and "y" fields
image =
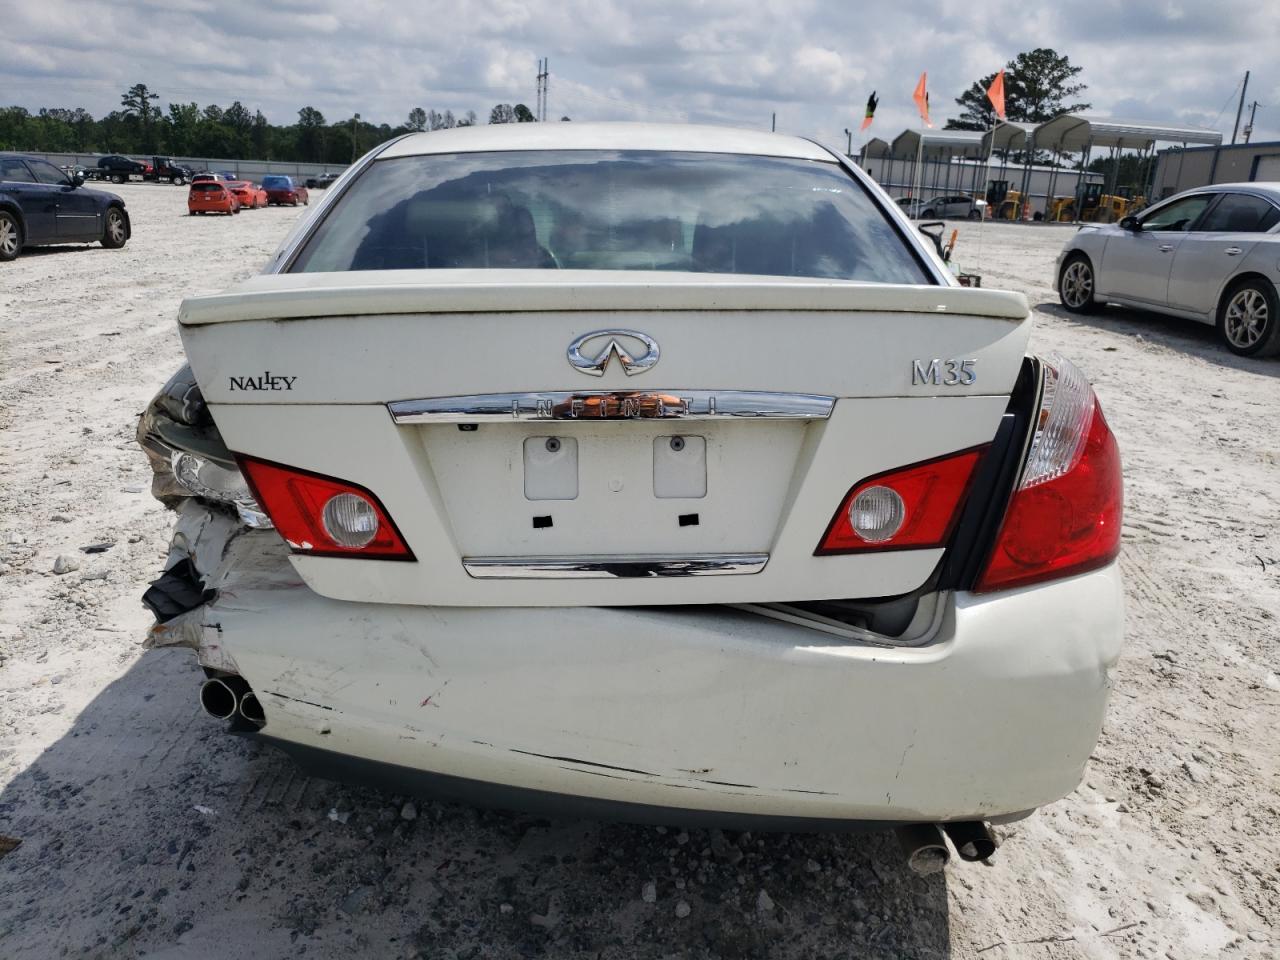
{"x": 1212, "y": 255}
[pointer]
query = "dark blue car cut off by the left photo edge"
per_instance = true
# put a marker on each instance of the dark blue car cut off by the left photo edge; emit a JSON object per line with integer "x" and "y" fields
{"x": 40, "y": 205}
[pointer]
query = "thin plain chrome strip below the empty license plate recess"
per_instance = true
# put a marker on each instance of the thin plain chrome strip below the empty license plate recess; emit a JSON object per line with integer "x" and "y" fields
{"x": 610, "y": 568}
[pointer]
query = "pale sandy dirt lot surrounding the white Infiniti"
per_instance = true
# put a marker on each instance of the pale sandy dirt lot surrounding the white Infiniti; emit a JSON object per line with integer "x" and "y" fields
{"x": 148, "y": 831}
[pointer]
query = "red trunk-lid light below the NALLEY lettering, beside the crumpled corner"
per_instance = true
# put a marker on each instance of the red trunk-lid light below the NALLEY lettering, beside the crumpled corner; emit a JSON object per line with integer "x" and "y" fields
{"x": 322, "y": 516}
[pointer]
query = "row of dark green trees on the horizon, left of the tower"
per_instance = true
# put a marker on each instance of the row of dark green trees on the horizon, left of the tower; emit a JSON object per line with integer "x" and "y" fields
{"x": 235, "y": 132}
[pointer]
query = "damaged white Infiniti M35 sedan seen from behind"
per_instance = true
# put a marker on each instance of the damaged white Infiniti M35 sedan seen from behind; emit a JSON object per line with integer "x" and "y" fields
{"x": 651, "y": 472}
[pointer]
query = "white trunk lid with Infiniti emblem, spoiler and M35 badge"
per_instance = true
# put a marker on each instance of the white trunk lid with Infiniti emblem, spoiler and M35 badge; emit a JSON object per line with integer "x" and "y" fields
{"x": 592, "y": 438}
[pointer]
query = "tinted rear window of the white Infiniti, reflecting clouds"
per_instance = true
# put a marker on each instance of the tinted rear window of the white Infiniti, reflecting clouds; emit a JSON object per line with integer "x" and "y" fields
{"x": 611, "y": 211}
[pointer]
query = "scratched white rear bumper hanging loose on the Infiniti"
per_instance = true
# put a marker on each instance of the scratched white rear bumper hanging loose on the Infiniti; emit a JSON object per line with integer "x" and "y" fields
{"x": 705, "y": 710}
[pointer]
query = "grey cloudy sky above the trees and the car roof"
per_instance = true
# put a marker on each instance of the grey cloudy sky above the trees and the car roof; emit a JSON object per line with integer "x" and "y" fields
{"x": 812, "y": 62}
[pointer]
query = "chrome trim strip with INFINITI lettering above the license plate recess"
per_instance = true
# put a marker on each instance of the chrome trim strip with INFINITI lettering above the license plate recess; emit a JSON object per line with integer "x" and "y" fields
{"x": 612, "y": 405}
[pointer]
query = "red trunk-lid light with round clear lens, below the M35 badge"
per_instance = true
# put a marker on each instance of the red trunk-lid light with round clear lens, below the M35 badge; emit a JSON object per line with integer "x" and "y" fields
{"x": 915, "y": 508}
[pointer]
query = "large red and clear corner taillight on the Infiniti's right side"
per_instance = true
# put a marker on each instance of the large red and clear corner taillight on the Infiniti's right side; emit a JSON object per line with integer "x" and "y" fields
{"x": 1066, "y": 514}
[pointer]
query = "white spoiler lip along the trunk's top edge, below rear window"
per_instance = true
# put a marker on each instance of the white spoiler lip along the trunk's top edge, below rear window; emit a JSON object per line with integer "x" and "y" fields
{"x": 381, "y": 292}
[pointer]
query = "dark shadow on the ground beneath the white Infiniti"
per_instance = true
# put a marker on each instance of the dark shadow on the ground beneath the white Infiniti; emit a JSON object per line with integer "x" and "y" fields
{"x": 148, "y": 831}
